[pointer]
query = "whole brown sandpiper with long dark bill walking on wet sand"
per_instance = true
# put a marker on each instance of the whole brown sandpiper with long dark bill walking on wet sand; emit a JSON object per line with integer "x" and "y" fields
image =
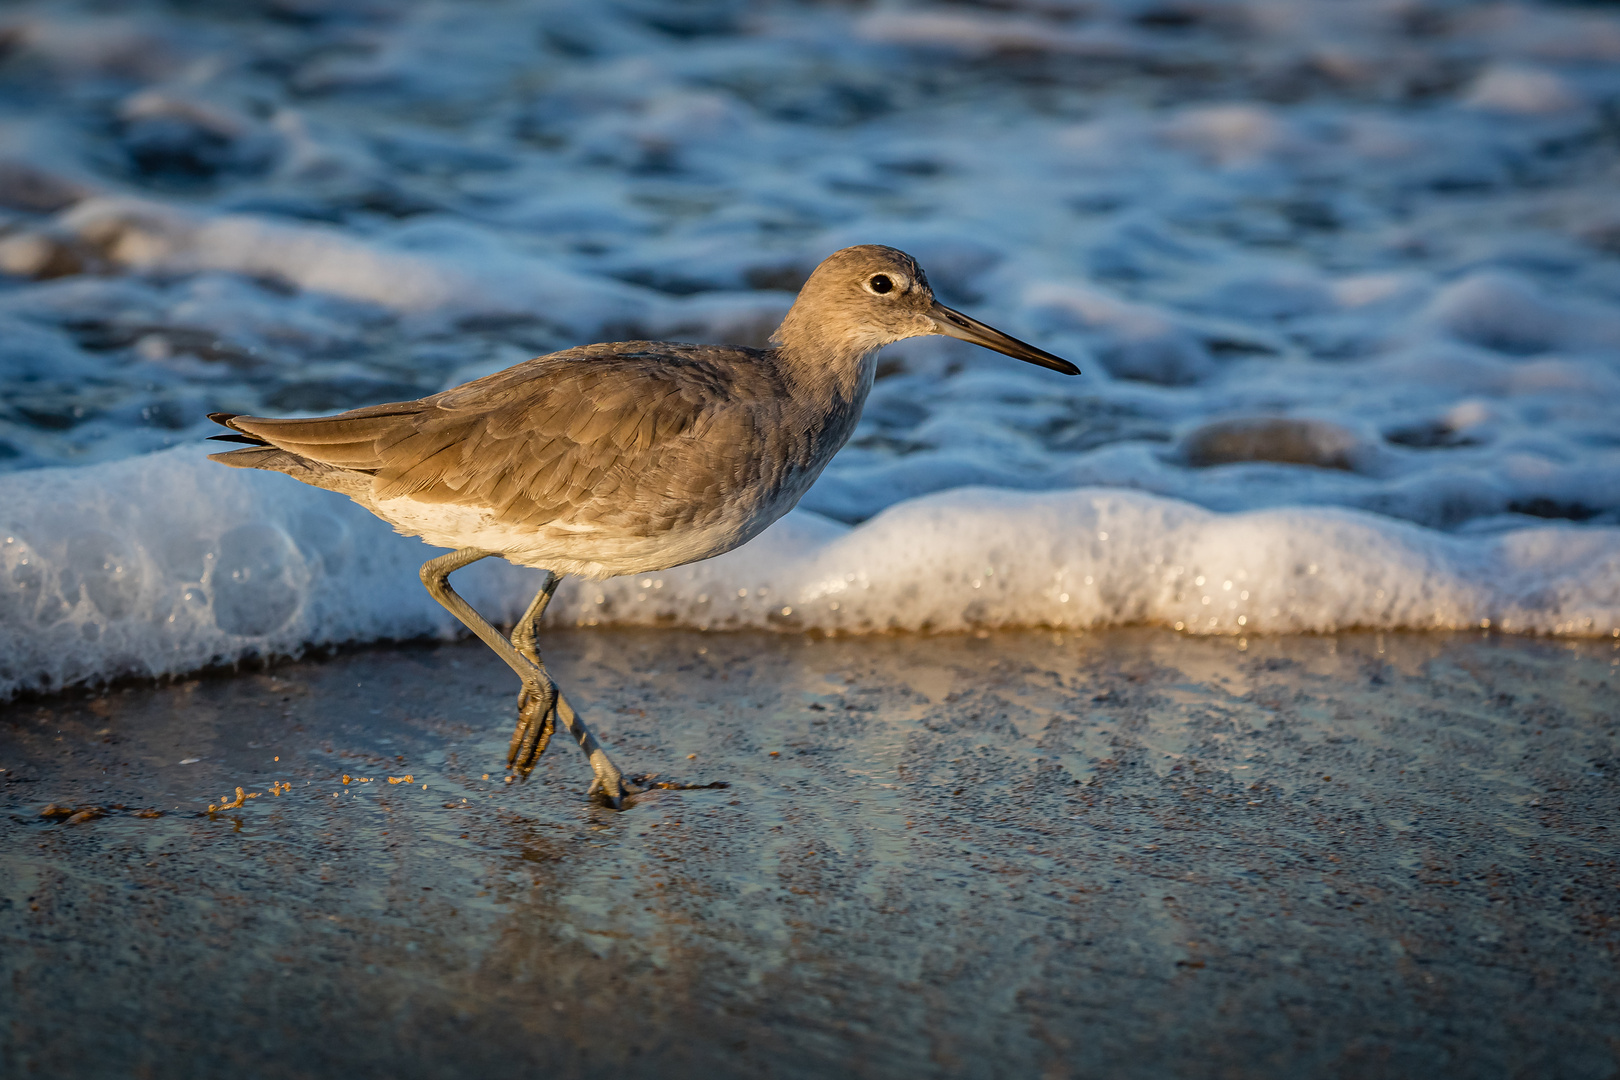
{"x": 618, "y": 459}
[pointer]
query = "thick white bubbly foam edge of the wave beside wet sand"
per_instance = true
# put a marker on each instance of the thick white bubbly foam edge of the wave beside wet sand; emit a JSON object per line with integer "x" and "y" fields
{"x": 166, "y": 564}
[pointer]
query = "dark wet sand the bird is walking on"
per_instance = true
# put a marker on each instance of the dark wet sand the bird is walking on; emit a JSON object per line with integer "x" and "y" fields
{"x": 1122, "y": 854}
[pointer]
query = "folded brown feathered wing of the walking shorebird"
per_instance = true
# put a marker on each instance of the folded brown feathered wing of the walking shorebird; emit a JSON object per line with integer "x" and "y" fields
{"x": 576, "y": 436}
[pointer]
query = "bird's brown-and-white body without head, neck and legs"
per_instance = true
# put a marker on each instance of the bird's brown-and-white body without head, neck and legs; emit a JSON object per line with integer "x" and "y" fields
{"x": 607, "y": 459}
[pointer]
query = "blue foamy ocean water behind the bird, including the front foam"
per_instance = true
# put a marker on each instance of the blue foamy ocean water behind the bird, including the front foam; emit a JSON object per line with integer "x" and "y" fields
{"x": 1344, "y": 279}
